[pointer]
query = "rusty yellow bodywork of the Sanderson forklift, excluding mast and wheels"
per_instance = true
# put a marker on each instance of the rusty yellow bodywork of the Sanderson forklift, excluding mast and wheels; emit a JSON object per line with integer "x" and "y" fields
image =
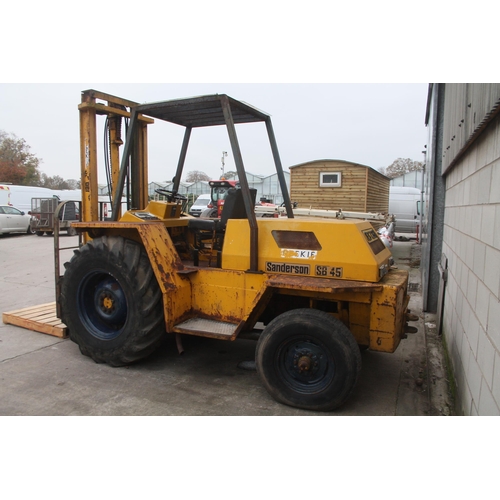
{"x": 373, "y": 309}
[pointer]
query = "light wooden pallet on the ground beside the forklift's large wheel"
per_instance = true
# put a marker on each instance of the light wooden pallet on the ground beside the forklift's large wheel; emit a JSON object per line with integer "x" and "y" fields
{"x": 40, "y": 318}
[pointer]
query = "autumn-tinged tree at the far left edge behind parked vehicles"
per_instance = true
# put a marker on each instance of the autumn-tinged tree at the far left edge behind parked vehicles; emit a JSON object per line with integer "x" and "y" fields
{"x": 17, "y": 164}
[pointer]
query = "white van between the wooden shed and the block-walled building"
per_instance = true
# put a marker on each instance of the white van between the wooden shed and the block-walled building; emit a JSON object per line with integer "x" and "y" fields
{"x": 404, "y": 204}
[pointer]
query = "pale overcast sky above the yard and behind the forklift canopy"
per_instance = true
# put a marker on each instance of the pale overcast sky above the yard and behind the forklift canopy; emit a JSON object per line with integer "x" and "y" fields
{"x": 370, "y": 124}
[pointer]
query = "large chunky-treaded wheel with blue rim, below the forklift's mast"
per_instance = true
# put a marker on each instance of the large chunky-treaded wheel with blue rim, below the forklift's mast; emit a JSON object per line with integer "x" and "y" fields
{"x": 111, "y": 301}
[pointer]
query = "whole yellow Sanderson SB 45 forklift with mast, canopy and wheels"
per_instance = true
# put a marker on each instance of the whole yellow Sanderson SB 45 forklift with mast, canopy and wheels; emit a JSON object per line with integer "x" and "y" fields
{"x": 315, "y": 292}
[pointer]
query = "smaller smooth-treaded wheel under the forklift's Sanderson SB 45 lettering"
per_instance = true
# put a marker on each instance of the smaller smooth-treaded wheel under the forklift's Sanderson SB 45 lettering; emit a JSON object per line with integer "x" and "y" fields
{"x": 308, "y": 359}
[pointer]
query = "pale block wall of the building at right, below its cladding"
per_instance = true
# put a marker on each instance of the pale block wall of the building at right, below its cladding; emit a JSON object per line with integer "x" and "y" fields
{"x": 471, "y": 320}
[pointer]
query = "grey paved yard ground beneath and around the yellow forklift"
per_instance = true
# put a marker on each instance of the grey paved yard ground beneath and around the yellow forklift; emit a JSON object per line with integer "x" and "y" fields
{"x": 42, "y": 375}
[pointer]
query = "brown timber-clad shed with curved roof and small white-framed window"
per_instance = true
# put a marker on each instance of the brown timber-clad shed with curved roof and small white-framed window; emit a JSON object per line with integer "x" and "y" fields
{"x": 339, "y": 184}
